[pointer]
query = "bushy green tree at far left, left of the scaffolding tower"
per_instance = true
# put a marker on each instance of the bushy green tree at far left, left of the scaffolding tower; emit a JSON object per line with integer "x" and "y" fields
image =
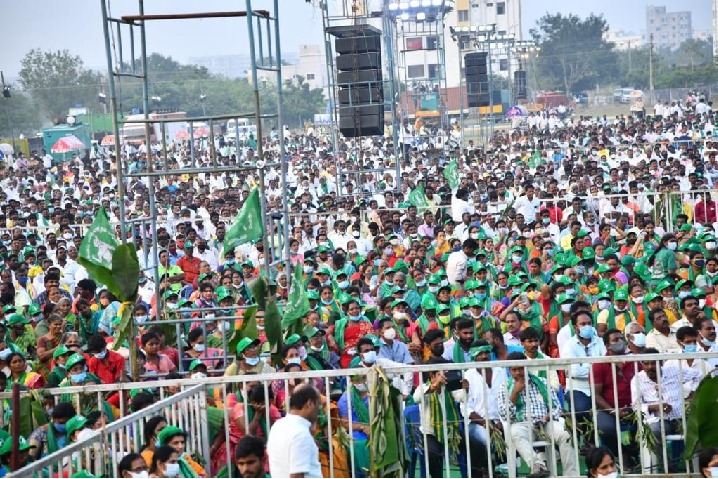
{"x": 58, "y": 81}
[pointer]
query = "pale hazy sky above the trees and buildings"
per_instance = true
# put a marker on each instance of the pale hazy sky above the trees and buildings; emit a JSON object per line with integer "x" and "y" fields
{"x": 76, "y": 25}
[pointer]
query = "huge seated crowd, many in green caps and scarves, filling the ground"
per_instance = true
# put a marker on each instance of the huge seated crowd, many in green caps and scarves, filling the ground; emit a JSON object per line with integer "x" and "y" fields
{"x": 561, "y": 238}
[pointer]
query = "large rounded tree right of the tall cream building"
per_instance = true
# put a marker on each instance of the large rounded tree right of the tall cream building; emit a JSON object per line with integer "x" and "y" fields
{"x": 573, "y": 53}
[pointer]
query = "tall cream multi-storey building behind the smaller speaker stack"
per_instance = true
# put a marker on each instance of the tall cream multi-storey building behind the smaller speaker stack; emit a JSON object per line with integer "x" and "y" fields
{"x": 506, "y": 15}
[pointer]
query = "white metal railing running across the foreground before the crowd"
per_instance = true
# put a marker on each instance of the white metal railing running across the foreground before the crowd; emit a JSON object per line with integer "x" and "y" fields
{"x": 582, "y": 427}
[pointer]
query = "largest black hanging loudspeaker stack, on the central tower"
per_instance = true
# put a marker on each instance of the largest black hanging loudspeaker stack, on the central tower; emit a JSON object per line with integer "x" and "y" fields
{"x": 360, "y": 85}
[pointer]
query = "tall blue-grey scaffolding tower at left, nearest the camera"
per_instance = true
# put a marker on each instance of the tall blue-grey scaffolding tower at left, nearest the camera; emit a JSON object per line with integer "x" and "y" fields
{"x": 126, "y": 54}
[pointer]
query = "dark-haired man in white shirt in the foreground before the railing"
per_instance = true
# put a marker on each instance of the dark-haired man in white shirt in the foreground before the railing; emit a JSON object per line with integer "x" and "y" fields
{"x": 291, "y": 448}
